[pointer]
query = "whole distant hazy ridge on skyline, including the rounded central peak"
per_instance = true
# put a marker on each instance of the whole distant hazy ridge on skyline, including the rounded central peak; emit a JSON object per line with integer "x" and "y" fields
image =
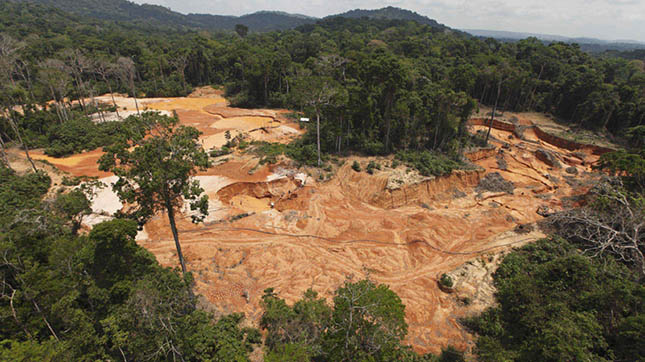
{"x": 123, "y": 10}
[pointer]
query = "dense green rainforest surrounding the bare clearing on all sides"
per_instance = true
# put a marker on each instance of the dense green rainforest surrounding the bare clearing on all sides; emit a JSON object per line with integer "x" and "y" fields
{"x": 377, "y": 87}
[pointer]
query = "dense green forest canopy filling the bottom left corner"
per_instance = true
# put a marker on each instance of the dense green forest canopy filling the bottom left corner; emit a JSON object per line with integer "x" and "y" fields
{"x": 99, "y": 296}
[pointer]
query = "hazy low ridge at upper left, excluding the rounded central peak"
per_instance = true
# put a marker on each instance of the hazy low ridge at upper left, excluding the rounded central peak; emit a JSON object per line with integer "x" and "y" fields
{"x": 126, "y": 11}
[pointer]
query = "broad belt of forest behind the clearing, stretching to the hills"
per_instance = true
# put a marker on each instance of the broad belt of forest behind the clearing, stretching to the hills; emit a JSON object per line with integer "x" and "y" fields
{"x": 374, "y": 86}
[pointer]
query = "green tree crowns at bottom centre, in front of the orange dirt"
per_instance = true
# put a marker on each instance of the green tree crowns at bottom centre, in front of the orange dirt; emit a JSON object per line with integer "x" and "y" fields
{"x": 366, "y": 323}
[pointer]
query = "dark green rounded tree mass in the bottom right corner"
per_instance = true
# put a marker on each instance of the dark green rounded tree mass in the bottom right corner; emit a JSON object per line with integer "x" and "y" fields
{"x": 555, "y": 304}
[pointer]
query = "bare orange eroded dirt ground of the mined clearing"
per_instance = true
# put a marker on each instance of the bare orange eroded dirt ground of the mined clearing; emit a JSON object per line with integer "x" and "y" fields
{"x": 277, "y": 227}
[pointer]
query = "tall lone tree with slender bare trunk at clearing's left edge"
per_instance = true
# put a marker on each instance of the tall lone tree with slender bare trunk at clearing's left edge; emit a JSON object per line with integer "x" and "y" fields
{"x": 155, "y": 161}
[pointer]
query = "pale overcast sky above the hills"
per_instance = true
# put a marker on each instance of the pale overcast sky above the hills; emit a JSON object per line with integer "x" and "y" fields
{"x": 602, "y": 19}
